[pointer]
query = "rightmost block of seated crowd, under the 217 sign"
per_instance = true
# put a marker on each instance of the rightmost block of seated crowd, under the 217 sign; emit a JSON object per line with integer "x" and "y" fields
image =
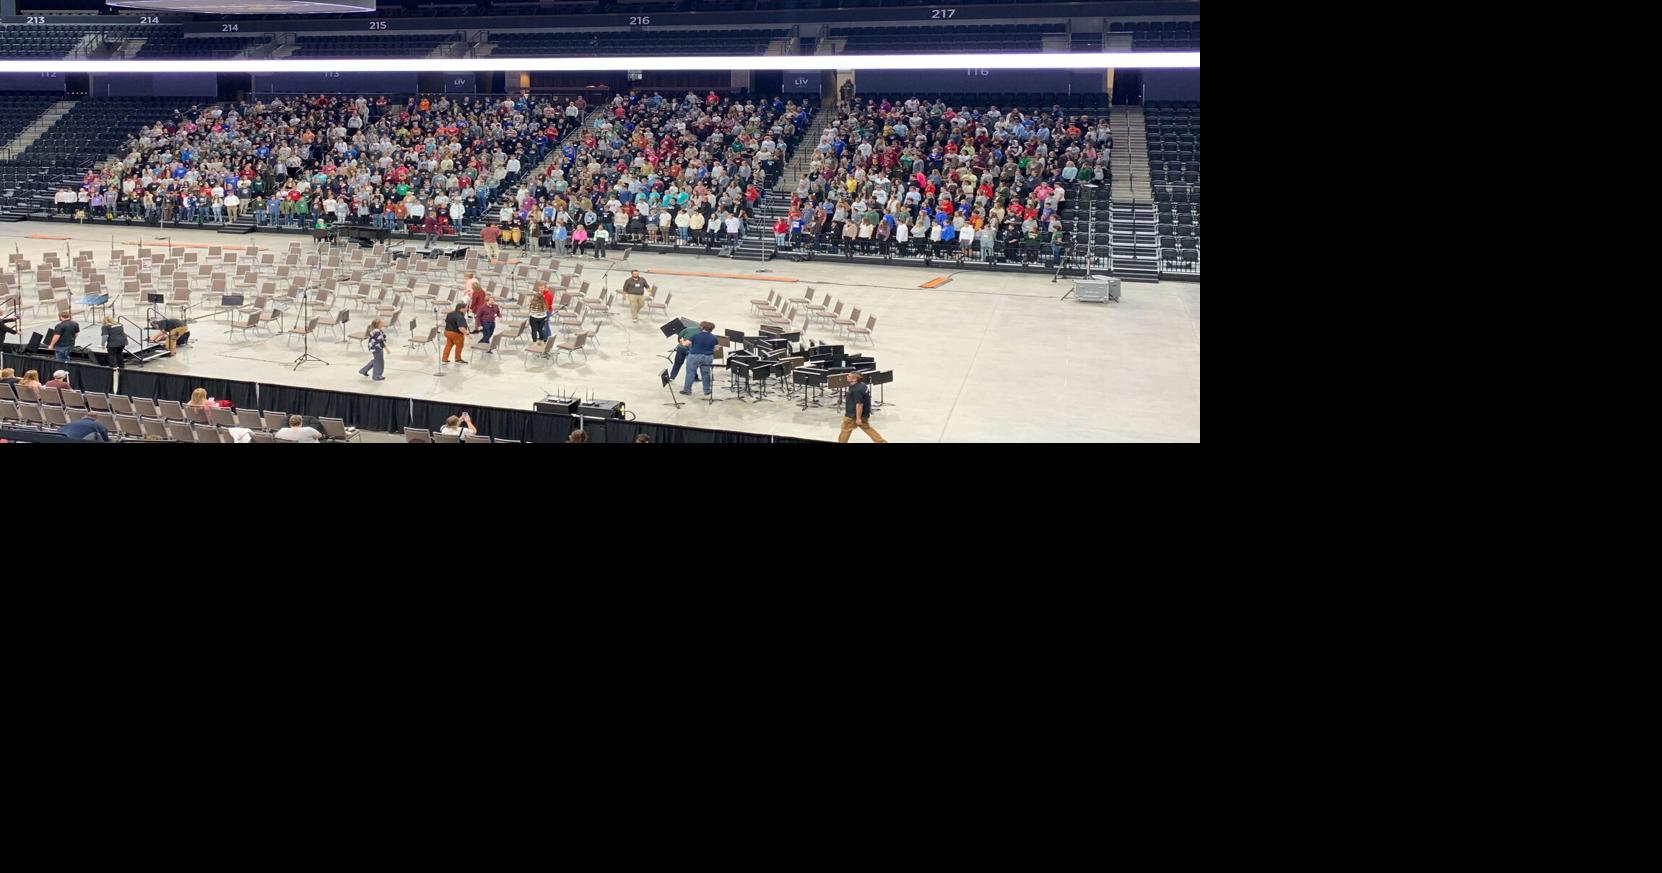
{"x": 918, "y": 177}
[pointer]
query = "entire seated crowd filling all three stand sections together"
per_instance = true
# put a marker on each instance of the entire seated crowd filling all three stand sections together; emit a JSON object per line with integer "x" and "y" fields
{"x": 888, "y": 177}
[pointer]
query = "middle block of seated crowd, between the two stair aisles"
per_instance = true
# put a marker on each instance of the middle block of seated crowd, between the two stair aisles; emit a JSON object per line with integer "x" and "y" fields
{"x": 654, "y": 169}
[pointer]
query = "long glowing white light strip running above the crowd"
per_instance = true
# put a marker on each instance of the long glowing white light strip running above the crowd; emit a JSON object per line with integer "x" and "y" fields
{"x": 1050, "y": 61}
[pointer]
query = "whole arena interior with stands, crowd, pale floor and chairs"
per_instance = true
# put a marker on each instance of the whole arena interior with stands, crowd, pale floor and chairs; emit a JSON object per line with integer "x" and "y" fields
{"x": 601, "y": 222}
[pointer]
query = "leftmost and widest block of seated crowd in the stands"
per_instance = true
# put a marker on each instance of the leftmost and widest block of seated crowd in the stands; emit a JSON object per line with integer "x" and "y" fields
{"x": 421, "y": 165}
